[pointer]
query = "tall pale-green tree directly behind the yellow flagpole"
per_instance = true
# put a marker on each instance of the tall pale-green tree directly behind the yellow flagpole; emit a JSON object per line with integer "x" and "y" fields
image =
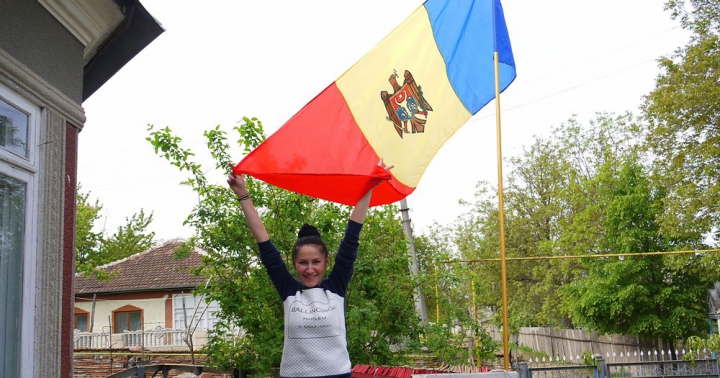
{"x": 550, "y": 210}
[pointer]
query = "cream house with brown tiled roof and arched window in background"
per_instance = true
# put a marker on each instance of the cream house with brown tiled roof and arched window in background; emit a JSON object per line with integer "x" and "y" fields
{"x": 148, "y": 302}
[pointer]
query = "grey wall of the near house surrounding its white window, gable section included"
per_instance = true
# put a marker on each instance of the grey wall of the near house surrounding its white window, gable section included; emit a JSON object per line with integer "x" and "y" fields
{"x": 42, "y": 62}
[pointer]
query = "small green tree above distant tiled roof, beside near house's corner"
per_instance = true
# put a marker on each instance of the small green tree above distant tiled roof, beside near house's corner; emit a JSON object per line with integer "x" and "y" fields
{"x": 93, "y": 248}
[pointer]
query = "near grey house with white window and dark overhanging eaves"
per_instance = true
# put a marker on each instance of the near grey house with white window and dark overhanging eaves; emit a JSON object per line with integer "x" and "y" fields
{"x": 54, "y": 54}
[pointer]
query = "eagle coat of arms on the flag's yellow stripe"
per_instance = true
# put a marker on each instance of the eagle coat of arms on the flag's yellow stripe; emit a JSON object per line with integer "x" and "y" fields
{"x": 406, "y": 105}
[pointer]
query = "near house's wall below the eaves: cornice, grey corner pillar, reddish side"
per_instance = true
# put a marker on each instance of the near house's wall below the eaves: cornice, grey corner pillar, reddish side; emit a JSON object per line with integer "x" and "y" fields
{"x": 61, "y": 119}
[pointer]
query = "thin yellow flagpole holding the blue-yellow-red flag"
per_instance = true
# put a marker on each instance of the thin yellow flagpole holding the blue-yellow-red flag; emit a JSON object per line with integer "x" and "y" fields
{"x": 503, "y": 273}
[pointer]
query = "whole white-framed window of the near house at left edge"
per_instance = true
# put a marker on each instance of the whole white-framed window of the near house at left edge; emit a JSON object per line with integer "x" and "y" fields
{"x": 19, "y": 120}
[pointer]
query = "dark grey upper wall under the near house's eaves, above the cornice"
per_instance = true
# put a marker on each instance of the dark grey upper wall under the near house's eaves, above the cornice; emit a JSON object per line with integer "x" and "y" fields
{"x": 30, "y": 34}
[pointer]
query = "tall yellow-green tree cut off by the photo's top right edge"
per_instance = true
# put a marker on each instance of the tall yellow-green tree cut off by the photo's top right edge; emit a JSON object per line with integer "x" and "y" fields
{"x": 683, "y": 114}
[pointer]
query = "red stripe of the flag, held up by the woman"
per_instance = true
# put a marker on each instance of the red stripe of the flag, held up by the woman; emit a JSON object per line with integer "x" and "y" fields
{"x": 336, "y": 163}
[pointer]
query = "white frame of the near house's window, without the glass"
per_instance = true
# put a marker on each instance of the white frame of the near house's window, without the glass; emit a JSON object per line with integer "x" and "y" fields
{"x": 26, "y": 171}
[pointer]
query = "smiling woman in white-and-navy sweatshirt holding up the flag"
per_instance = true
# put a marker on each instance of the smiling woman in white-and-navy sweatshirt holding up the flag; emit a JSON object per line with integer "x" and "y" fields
{"x": 315, "y": 343}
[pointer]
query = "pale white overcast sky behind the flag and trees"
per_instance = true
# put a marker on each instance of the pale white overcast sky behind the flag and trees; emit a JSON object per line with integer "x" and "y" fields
{"x": 219, "y": 61}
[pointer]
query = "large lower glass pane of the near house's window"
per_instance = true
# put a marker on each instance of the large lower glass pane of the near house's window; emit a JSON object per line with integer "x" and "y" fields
{"x": 12, "y": 229}
